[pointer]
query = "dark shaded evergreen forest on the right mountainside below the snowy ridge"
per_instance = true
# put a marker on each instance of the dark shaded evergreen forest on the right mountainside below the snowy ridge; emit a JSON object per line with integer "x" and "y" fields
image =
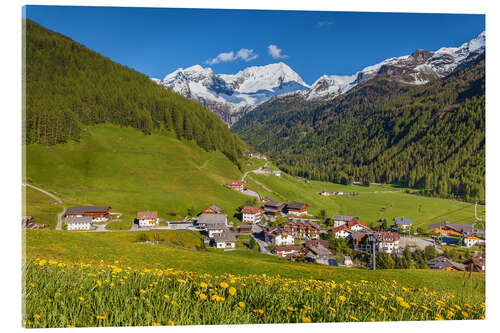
{"x": 430, "y": 137}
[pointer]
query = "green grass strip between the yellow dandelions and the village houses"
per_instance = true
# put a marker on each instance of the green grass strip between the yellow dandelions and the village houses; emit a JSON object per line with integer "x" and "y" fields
{"x": 178, "y": 252}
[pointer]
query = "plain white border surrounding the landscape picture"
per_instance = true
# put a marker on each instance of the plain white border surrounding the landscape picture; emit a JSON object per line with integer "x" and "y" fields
{"x": 10, "y": 131}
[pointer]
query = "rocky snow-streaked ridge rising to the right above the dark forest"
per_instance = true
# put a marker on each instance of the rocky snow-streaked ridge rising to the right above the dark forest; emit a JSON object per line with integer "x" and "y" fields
{"x": 417, "y": 68}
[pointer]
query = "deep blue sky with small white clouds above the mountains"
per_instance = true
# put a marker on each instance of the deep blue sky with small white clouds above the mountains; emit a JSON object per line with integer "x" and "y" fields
{"x": 156, "y": 41}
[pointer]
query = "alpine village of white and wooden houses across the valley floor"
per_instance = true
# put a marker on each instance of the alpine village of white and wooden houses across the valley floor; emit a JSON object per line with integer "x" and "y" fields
{"x": 289, "y": 231}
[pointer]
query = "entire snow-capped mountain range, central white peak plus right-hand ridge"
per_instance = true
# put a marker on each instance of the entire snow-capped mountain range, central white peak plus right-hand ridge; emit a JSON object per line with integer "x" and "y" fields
{"x": 230, "y": 96}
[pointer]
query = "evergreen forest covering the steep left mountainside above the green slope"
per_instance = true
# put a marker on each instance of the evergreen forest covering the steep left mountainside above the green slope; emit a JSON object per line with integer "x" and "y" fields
{"x": 69, "y": 87}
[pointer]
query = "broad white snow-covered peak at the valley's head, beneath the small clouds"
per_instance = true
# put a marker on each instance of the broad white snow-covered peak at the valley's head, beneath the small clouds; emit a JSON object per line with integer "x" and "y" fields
{"x": 230, "y": 95}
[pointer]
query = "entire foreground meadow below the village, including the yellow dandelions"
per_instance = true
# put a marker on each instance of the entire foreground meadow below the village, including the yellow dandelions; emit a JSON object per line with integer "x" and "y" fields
{"x": 109, "y": 279}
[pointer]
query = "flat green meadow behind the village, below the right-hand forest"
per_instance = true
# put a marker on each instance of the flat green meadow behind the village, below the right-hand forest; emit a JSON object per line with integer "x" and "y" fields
{"x": 372, "y": 203}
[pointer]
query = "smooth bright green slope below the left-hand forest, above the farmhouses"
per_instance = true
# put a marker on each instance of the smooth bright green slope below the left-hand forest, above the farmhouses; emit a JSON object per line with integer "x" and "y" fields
{"x": 130, "y": 171}
